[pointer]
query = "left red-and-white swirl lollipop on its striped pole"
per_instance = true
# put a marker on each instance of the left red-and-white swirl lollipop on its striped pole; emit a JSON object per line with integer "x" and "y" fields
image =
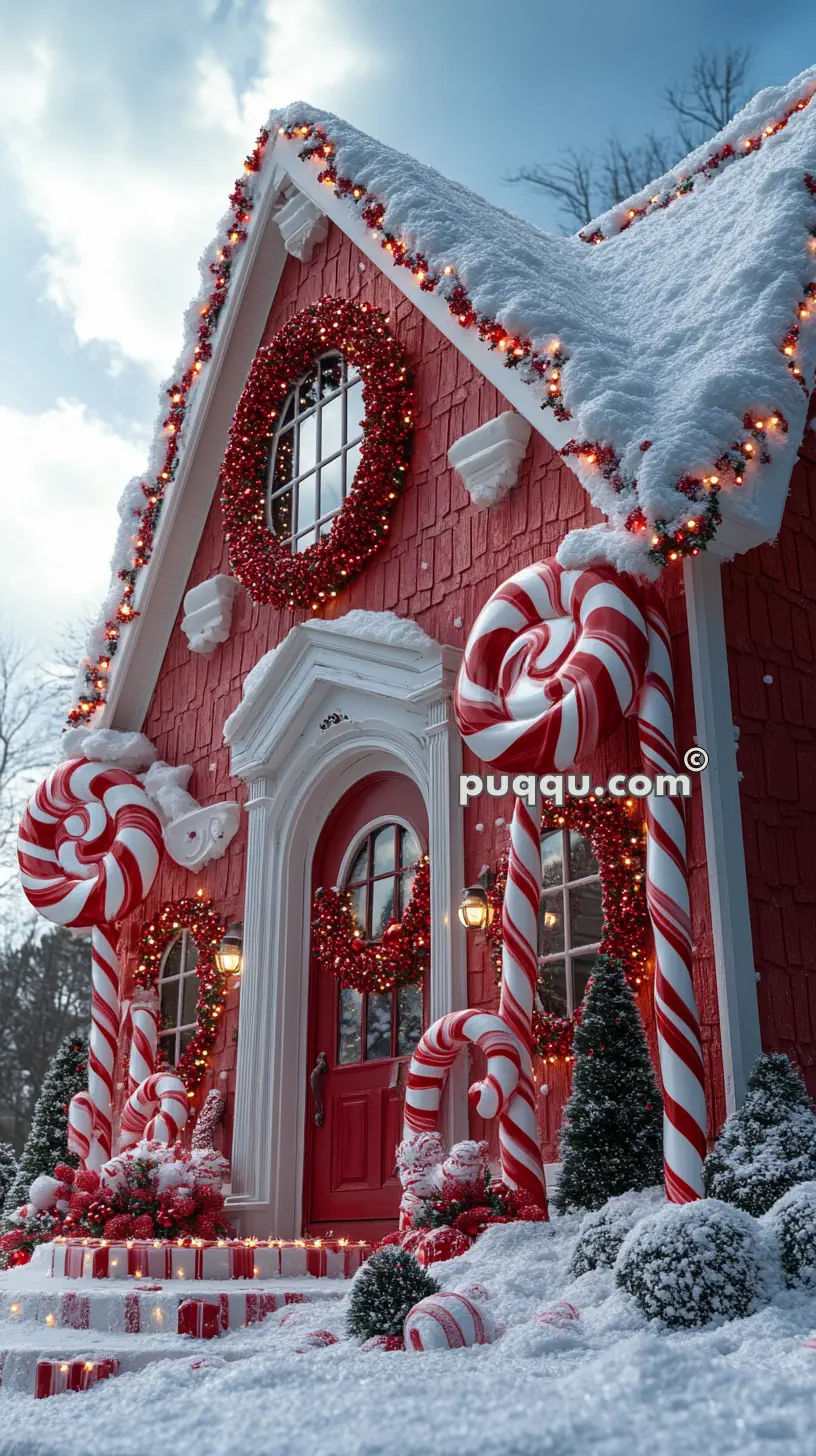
{"x": 90, "y": 848}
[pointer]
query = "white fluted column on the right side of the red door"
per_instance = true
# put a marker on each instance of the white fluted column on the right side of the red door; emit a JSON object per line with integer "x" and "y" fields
{"x": 450, "y": 968}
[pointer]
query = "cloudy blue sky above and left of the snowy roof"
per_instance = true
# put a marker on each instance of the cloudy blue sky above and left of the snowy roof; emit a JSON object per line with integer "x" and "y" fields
{"x": 123, "y": 129}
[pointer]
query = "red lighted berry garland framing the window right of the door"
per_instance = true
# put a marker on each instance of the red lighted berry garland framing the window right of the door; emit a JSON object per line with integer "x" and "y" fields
{"x": 619, "y": 844}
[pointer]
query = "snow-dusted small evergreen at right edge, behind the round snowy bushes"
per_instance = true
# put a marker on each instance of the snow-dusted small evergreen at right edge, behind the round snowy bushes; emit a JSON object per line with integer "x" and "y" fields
{"x": 769, "y": 1145}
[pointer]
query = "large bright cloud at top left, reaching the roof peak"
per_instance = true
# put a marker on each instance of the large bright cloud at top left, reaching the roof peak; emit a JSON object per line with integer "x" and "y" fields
{"x": 127, "y": 178}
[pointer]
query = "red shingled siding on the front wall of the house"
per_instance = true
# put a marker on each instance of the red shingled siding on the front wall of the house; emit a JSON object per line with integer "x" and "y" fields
{"x": 441, "y": 563}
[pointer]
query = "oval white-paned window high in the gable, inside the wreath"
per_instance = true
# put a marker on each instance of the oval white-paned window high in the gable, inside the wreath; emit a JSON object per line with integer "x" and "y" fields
{"x": 315, "y": 454}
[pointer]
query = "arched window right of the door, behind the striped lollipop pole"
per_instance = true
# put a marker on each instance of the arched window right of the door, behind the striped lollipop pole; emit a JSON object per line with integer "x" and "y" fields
{"x": 570, "y": 921}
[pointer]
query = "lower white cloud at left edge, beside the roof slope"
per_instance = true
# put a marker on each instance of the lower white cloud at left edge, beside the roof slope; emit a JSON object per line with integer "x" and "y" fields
{"x": 63, "y": 472}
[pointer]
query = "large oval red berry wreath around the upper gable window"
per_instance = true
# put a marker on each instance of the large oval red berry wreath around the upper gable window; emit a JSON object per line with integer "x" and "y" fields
{"x": 270, "y": 570}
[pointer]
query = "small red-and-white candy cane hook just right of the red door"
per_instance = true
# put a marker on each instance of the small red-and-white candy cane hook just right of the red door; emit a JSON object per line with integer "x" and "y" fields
{"x": 438, "y": 1051}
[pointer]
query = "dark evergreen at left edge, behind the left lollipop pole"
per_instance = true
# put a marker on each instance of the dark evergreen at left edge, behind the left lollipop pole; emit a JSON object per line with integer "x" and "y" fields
{"x": 47, "y": 1142}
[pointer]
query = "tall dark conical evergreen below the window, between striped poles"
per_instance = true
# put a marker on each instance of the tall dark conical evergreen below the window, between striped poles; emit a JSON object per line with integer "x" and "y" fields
{"x": 613, "y": 1129}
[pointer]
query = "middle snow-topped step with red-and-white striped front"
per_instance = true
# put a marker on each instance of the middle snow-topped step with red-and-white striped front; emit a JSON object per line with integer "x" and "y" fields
{"x": 152, "y": 1308}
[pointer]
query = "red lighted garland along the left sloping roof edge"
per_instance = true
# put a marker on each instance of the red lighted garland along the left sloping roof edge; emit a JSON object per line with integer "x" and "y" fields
{"x": 171, "y": 432}
